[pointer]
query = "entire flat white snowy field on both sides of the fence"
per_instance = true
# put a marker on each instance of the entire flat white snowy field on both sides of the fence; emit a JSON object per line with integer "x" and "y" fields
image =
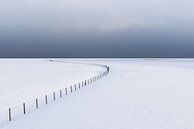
{"x": 137, "y": 94}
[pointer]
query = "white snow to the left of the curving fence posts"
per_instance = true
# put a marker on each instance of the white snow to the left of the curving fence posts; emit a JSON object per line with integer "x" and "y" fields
{"x": 24, "y": 80}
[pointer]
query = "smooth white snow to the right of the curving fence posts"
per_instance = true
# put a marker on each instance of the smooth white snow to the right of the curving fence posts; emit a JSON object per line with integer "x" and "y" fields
{"x": 137, "y": 94}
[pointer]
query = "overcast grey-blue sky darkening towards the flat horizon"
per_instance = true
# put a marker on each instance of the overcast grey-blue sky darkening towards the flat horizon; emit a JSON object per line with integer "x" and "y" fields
{"x": 96, "y": 28}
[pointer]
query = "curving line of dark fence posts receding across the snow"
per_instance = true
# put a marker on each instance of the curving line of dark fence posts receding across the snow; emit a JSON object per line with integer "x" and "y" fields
{"x": 27, "y": 107}
